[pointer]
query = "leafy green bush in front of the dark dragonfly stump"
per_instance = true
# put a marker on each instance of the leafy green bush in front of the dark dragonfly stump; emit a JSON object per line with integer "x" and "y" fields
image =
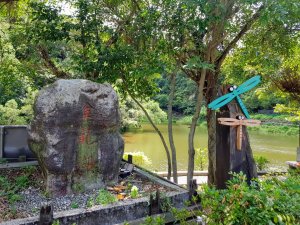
{"x": 265, "y": 201}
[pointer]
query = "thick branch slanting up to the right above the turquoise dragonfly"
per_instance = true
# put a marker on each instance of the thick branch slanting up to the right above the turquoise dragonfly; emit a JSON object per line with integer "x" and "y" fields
{"x": 242, "y": 32}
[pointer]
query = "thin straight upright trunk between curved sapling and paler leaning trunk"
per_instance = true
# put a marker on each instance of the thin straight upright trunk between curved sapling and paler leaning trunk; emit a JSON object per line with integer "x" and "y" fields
{"x": 170, "y": 128}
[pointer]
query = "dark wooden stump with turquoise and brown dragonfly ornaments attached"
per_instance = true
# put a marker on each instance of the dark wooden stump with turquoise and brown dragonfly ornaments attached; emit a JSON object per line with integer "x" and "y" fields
{"x": 228, "y": 158}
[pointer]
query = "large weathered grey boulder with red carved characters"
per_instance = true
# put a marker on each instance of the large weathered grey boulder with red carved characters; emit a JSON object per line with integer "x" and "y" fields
{"x": 75, "y": 135}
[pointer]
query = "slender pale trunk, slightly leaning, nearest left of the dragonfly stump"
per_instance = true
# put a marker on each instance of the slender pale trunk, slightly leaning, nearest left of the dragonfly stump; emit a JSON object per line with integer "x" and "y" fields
{"x": 195, "y": 118}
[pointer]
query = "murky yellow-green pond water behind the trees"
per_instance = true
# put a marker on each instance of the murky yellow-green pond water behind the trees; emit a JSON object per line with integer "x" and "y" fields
{"x": 276, "y": 148}
